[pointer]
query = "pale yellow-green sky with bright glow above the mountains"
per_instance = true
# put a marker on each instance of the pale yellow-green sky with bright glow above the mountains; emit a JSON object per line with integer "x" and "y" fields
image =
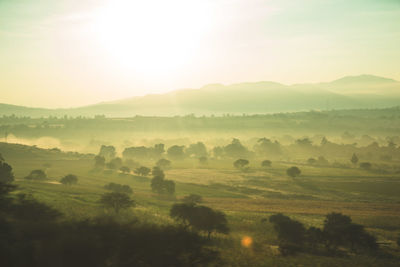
{"x": 69, "y": 53}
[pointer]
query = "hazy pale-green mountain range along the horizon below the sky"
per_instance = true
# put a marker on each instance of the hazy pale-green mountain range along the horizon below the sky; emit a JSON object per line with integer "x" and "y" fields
{"x": 351, "y": 92}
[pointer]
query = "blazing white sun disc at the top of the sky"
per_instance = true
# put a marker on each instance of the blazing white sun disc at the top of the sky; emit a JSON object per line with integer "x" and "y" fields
{"x": 152, "y": 36}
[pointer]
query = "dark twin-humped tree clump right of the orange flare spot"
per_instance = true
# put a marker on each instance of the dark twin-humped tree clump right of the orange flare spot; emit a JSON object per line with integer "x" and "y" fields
{"x": 338, "y": 231}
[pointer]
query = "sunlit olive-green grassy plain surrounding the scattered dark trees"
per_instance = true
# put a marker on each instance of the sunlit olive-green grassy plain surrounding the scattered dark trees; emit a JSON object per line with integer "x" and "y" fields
{"x": 371, "y": 199}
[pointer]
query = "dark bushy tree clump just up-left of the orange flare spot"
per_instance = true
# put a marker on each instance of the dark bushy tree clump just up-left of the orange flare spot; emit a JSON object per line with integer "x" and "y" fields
{"x": 200, "y": 218}
